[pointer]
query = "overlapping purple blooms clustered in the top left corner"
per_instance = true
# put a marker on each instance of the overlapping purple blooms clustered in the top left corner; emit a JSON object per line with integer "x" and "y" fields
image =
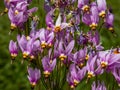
{"x": 18, "y": 12}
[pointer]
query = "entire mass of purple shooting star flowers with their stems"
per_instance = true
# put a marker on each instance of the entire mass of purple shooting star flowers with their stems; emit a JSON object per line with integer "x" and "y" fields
{"x": 67, "y": 51}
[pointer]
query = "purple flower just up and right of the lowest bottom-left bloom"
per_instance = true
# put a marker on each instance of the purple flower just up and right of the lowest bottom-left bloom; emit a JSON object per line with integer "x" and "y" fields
{"x": 48, "y": 65}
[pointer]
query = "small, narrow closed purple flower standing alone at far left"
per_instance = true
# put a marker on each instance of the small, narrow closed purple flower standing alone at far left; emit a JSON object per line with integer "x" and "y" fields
{"x": 13, "y": 49}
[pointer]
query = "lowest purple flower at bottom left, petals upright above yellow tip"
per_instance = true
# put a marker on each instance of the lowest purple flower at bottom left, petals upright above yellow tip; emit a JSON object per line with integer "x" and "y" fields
{"x": 34, "y": 75}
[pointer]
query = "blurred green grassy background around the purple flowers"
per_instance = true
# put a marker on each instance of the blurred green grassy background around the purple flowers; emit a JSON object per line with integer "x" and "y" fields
{"x": 14, "y": 76}
